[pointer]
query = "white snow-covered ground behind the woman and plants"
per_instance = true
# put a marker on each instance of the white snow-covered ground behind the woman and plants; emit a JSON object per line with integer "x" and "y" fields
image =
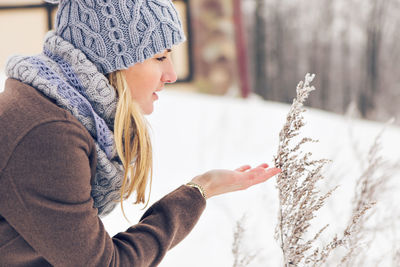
{"x": 194, "y": 133}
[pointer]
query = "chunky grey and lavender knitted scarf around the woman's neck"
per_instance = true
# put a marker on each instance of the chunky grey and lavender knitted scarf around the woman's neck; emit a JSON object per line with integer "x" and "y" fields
{"x": 64, "y": 74}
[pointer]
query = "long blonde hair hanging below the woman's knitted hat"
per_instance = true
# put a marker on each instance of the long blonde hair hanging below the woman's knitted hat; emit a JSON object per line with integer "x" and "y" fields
{"x": 132, "y": 141}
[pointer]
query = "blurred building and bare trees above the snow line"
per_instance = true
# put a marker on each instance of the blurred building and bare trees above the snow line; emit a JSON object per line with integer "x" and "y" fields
{"x": 242, "y": 47}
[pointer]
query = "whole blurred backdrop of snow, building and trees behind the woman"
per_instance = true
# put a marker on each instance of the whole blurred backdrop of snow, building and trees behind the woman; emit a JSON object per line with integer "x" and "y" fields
{"x": 238, "y": 54}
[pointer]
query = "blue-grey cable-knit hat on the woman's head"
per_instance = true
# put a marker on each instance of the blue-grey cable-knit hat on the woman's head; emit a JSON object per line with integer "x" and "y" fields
{"x": 116, "y": 34}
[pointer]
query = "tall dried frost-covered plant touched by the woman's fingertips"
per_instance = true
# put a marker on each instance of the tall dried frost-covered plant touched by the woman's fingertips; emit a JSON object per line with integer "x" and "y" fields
{"x": 299, "y": 198}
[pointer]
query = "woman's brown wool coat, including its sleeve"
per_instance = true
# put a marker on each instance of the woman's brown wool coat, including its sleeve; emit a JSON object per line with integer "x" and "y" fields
{"x": 47, "y": 160}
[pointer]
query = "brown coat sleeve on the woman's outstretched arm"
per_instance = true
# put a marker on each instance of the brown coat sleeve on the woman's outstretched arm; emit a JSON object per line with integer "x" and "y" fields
{"x": 45, "y": 197}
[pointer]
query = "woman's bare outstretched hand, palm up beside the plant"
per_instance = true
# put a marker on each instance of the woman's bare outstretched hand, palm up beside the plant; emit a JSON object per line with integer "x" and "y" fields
{"x": 217, "y": 182}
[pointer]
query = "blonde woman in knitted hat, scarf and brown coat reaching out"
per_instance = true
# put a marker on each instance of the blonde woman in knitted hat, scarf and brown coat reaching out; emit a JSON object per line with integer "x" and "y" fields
{"x": 74, "y": 142}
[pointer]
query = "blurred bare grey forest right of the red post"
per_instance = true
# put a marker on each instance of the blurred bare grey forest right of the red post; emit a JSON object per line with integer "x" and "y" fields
{"x": 351, "y": 44}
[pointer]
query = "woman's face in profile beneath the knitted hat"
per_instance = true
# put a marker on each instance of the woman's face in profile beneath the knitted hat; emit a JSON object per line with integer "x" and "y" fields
{"x": 146, "y": 78}
